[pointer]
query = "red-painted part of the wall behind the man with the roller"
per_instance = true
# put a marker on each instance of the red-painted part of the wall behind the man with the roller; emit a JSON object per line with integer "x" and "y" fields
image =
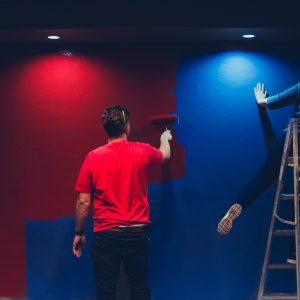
{"x": 50, "y": 107}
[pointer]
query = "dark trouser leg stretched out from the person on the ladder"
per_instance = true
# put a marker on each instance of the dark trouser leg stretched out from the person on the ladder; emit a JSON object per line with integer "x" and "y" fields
{"x": 266, "y": 175}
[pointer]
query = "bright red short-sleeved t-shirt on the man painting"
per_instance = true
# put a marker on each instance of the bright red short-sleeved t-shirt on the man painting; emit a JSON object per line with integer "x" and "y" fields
{"x": 116, "y": 175}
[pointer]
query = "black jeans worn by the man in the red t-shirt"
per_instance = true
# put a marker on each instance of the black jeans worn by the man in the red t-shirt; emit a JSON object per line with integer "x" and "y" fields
{"x": 109, "y": 249}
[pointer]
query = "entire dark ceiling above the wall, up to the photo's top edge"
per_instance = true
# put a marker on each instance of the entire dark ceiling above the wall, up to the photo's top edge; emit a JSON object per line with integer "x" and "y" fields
{"x": 120, "y": 21}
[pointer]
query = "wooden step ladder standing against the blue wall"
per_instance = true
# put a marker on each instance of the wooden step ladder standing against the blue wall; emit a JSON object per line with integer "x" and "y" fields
{"x": 290, "y": 146}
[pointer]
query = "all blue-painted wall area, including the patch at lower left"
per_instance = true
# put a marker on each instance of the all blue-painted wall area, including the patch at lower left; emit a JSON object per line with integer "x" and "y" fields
{"x": 223, "y": 134}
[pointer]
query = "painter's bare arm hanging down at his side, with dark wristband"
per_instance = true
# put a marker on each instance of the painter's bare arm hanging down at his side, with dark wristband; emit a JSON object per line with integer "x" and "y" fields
{"x": 83, "y": 206}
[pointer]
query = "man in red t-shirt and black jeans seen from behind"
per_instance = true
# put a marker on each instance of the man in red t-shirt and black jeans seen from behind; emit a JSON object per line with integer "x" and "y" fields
{"x": 113, "y": 178}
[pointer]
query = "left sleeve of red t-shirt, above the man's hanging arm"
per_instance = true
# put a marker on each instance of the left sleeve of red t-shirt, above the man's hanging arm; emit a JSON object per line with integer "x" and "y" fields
{"x": 84, "y": 183}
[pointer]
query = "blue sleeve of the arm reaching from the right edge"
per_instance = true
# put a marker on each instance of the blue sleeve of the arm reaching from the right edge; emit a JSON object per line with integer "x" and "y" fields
{"x": 287, "y": 97}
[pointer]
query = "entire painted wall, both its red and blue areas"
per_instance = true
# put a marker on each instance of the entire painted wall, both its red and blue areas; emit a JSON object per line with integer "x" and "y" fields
{"x": 50, "y": 106}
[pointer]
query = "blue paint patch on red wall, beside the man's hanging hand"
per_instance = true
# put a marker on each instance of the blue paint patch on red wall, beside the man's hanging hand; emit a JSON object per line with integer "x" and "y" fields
{"x": 53, "y": 272}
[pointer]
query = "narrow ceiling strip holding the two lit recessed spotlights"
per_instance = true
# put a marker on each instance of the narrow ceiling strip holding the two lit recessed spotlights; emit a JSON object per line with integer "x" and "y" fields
{"x": 111, "y": 35}
